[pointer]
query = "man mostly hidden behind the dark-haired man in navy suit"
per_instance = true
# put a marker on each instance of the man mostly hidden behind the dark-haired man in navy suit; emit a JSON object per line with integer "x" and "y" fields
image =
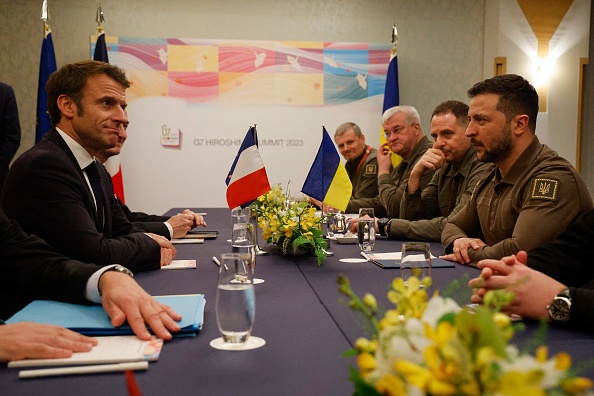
{"x": 170, "y": 227}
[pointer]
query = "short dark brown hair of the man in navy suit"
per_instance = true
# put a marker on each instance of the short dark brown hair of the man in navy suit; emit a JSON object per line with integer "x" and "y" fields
{"x": 71, "y": 79}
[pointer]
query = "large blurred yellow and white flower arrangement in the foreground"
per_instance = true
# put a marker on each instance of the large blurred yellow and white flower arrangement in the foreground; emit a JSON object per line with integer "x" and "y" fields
{"x": 433, "y": 347}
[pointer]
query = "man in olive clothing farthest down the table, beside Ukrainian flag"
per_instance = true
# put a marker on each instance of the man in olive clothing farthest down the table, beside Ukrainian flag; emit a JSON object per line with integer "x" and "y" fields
{"x": 361, "y": 160}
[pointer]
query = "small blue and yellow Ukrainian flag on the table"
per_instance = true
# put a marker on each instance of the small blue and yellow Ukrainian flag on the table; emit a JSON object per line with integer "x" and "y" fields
{"x": 327, "y": 180}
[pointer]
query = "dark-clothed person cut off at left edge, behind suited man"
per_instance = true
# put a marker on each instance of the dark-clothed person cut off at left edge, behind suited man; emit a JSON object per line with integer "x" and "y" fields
{"x": 10, "y": 129}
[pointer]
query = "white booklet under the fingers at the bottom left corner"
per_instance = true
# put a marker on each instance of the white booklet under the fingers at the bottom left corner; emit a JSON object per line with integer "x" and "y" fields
{"x": 115, "y": 349}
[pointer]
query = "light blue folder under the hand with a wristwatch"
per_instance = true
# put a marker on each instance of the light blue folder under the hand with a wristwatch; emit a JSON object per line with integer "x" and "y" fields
{"x": 92, "y": 319}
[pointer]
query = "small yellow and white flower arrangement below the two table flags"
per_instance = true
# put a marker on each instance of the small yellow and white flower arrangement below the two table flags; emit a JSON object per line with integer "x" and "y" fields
{"x": 289, "y": 225}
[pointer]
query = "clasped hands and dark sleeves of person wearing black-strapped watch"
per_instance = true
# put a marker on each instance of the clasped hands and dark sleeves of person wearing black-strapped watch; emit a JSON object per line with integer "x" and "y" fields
{"x": 553, "y": 282}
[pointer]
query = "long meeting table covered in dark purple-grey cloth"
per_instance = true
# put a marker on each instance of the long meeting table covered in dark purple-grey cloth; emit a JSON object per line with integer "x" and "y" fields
{"x": 299, "y": 312}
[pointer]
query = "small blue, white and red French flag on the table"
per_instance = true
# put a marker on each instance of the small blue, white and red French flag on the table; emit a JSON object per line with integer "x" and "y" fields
{"x": 247, "y": 179}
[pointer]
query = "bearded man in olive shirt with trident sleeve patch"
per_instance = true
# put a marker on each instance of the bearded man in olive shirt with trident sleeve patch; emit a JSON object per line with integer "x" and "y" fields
{"x": 529, "y": 195}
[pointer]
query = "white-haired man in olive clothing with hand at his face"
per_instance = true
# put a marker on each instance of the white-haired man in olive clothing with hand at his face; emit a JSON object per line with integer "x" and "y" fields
{"x": 403, "y": 137}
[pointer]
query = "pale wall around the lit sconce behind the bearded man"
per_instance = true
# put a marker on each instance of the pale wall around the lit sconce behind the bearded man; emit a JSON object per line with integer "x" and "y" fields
{"x": 516, "y": 41}
